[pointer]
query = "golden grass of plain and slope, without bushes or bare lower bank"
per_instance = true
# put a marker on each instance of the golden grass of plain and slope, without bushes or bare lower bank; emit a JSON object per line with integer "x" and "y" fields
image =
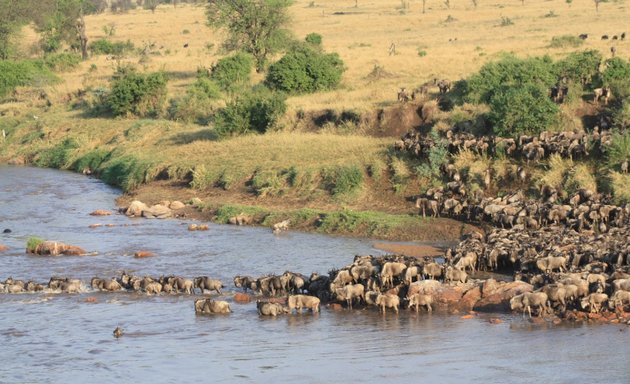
{"x": 448, "y": 40}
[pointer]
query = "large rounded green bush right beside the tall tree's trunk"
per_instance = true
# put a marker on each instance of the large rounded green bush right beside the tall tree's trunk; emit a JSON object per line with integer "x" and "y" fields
{"x": 305, "y": 70}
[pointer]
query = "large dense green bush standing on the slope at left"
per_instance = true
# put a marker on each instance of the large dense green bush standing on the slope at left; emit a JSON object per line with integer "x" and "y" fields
{"x": 138, "y": 94}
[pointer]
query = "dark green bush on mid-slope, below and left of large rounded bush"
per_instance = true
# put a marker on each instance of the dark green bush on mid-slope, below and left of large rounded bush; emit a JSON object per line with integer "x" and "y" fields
{"x": 257, "y": 111}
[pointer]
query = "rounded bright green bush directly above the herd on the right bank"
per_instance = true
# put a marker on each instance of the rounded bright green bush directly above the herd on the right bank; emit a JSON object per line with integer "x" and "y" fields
{"x": 515, "y": 111}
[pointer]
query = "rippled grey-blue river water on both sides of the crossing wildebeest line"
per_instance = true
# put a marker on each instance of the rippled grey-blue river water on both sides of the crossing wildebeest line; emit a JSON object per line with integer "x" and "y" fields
{"x": 64, "y": 338}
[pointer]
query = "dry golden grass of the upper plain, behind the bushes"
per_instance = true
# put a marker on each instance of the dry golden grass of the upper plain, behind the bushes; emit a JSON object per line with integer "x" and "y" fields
{"x": 362, "y": 37}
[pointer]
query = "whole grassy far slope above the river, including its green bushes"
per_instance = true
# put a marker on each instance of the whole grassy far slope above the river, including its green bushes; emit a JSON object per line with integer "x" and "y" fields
{"x": 313, "y": 121}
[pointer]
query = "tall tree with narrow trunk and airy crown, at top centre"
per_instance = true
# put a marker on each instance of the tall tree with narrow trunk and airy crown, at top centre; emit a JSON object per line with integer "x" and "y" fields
{"x": 254, "y": 26}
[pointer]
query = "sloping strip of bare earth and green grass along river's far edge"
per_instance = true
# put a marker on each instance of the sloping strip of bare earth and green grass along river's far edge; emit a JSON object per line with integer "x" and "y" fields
{"x": 400, "y": 224}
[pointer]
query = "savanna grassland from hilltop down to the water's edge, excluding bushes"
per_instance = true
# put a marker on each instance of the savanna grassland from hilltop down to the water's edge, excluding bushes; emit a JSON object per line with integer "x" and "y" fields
{"x": 341, "y": 170}
